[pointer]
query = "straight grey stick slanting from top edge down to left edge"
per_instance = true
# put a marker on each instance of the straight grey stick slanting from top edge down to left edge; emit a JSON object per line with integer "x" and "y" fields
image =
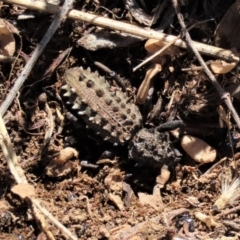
{"x": 60, "y": 16}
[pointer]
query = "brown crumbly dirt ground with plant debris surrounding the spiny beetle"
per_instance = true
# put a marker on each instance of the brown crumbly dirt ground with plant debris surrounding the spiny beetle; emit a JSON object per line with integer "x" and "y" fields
{"x": 92, "y": 187}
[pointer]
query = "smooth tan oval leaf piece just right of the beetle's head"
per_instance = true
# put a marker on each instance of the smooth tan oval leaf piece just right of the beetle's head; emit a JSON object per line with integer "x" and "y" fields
{"x": 198, "y": 150}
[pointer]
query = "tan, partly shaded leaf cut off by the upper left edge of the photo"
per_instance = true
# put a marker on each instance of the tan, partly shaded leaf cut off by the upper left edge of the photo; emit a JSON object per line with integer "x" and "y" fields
{"x": 7, "y": 47}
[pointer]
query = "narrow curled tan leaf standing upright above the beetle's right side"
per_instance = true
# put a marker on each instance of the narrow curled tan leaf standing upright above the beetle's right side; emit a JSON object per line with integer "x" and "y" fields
{"x": 142, "y": 93}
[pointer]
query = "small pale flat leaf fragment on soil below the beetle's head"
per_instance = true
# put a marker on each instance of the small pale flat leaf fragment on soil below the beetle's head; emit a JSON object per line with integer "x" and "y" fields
{"x": 150, "y": 200}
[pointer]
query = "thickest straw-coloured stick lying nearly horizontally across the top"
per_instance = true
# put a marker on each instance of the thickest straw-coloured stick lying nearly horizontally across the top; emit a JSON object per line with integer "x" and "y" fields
{"x": 126, "y": 28}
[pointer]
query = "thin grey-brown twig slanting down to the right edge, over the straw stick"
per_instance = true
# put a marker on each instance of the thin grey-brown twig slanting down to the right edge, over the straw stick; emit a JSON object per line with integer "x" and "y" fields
{"x": 224, "y": 95}
